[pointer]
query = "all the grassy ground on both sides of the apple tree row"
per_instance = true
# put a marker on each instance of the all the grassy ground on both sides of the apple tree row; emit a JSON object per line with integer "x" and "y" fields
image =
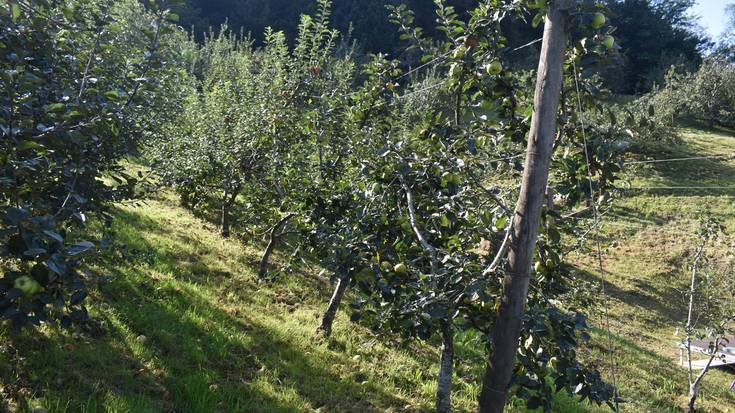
{"x": 184, "y": 326}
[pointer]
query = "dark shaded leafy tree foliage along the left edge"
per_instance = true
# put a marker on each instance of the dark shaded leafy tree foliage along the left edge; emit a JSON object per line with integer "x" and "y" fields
{"x": 76, "y": 81}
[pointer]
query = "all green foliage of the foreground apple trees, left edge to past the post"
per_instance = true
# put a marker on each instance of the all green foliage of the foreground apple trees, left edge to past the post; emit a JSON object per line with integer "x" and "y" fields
{"x": 398, "y": 184}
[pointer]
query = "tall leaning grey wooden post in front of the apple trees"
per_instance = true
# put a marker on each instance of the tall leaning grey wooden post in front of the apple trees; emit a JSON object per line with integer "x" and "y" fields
{"x": 528, "y": 212}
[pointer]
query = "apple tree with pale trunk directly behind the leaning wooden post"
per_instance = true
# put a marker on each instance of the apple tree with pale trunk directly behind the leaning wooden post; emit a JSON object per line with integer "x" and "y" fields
{"x": 433, "y": 177}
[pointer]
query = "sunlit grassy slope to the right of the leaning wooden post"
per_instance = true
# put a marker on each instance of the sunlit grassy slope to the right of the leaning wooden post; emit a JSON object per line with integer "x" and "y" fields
{"x": 647, "y": 268}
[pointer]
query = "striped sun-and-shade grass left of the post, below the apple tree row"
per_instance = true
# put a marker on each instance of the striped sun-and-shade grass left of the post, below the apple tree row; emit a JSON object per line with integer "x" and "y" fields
{"x": 183, "y": 325}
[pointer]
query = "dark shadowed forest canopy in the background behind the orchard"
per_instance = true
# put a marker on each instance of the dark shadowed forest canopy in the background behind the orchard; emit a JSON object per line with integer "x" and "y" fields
{"x": 653, "y": 34}
